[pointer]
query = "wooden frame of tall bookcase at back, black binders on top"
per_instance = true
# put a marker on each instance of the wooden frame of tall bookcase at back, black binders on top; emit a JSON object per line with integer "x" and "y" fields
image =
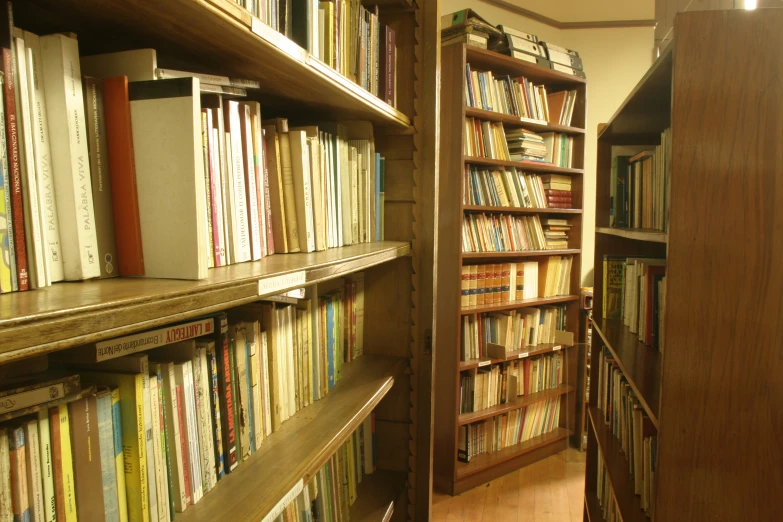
{"x": 451, "y": 475}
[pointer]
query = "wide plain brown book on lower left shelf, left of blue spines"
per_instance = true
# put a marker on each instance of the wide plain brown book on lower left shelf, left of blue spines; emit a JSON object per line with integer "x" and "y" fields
{"x": 88, "y": 475}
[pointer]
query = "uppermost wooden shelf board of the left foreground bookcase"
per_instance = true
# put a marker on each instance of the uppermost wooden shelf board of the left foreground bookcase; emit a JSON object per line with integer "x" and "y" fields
{"x": 224, "y": 39}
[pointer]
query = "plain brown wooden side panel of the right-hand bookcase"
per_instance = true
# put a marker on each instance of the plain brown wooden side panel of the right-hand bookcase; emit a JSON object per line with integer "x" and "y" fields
{"x": 721, "y": 398}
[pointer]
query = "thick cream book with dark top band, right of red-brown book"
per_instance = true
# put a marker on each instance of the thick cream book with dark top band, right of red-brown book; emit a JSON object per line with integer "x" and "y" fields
{"x": 166, "y": 121}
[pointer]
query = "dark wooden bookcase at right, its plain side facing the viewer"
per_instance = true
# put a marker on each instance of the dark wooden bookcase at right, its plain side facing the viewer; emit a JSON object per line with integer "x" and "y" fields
{"x": 709, "y": 391}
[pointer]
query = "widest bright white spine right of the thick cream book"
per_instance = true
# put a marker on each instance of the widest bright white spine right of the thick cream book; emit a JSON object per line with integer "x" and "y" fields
{"x": 237, "y": 202}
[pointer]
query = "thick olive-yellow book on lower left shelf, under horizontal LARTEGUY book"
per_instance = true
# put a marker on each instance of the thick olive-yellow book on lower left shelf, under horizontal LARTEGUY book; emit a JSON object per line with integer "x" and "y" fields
{"x": 131, "y": 401}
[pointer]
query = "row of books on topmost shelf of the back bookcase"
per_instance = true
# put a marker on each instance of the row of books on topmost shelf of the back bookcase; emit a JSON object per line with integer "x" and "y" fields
{"x": 518, "y": 97}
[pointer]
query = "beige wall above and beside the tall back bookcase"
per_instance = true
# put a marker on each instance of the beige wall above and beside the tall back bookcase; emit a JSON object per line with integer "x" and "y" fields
{"x": 614, "y": 61}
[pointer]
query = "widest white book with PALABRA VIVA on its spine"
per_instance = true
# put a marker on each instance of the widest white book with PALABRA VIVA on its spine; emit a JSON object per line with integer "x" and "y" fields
{"x": 70, "y": 160}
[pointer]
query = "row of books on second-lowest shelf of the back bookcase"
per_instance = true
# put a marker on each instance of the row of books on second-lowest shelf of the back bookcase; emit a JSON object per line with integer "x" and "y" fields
{"x": 485, "y": 387}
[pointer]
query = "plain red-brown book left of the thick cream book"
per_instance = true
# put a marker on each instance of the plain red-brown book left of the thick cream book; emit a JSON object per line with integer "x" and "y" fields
{"x": 124, "y": 195}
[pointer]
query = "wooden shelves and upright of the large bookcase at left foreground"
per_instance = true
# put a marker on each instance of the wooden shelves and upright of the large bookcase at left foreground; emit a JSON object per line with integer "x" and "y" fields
{"x": 221, "y": 37}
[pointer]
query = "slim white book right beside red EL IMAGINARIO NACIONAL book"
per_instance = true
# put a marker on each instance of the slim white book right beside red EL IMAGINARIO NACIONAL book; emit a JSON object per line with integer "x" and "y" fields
{"x": 34, "y": 230}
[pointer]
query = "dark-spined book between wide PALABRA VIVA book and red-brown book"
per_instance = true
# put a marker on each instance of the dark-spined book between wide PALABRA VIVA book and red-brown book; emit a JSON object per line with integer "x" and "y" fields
{"x": 100, "y": 177}
